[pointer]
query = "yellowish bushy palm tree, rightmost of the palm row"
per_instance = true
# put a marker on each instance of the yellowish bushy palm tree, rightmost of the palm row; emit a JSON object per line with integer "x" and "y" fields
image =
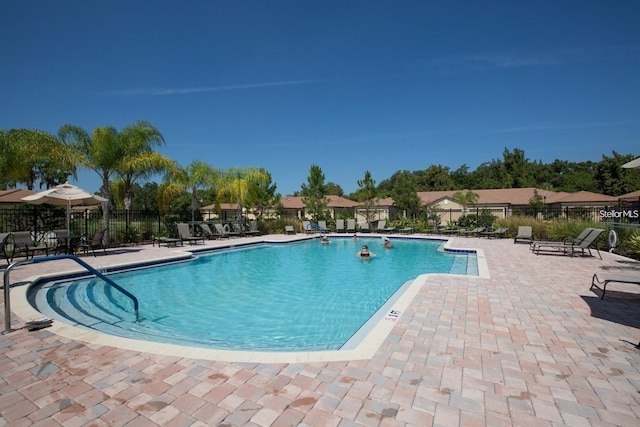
{"x": 241, "y": 186}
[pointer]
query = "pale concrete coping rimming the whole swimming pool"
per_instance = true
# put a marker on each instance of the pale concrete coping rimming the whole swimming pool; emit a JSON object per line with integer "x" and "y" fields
{"x": 373, "y": 332}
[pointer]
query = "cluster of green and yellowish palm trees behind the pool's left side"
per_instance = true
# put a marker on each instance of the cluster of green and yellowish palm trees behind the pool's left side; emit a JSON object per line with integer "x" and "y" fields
{"x": 124, "y": 159}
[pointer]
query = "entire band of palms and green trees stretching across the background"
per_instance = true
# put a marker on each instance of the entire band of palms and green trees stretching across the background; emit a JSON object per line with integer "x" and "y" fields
{"x": 126, "y": 160}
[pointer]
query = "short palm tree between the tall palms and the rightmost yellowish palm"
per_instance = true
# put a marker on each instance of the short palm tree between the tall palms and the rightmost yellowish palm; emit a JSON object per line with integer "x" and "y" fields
{"x": 195, "y": 176}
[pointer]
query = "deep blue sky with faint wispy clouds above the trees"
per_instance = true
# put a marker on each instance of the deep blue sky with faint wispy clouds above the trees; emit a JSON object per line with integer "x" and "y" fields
{"x": 348, "y": 85}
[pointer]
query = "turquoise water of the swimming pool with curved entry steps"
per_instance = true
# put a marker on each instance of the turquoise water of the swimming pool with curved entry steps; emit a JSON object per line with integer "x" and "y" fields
{"x": 269, "y": 297}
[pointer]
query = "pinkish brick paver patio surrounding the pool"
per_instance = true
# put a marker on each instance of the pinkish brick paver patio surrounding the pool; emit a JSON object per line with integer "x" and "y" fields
{"x": 532, "y": 345}
